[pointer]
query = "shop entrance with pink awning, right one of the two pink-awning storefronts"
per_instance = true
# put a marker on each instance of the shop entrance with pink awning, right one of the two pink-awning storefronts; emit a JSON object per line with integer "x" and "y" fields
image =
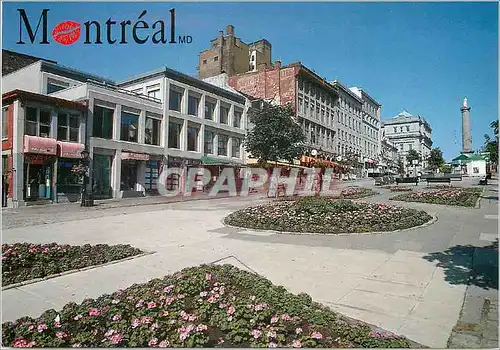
{"x": 68, "y": 185}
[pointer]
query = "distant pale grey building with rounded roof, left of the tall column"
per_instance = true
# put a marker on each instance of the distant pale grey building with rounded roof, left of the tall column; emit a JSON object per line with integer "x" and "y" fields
{"x": 410, "y": 132}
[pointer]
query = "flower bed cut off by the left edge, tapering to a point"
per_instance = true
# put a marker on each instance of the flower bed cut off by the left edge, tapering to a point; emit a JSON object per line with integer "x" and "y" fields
{"x": 26, "y": 261}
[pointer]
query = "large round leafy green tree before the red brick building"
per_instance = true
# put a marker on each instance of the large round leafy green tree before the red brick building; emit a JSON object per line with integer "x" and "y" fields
{"x": 275, "y": 135}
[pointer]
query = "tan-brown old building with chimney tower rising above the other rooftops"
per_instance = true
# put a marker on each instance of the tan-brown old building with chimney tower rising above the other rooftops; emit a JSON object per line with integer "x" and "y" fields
{"x": 228, "y": 54}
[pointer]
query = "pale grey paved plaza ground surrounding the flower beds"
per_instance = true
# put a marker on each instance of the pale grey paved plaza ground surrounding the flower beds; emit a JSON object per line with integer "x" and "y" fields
{"x": 411, "y": 282}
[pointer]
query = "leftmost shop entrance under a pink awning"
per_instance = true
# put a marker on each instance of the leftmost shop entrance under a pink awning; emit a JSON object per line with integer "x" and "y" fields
{"x": 40, "y": 155}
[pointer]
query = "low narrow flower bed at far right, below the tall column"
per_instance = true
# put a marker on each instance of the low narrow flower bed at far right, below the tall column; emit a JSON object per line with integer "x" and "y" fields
{"x": 465, "y": 197}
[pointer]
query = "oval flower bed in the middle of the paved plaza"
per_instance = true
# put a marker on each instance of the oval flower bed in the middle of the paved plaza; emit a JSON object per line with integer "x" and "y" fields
{"x": 326, "y": 215}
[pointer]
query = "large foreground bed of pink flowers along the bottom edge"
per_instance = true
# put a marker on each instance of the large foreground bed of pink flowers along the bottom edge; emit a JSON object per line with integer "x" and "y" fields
{"x": 205, "y": 306}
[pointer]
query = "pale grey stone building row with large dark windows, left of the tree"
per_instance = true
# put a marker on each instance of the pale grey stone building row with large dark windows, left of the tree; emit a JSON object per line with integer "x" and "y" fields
{"x": 140, "y": 125}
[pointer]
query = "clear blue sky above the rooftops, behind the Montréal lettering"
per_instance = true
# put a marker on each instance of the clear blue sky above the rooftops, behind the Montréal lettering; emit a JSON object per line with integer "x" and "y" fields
{"x": 423, "y": 57}
